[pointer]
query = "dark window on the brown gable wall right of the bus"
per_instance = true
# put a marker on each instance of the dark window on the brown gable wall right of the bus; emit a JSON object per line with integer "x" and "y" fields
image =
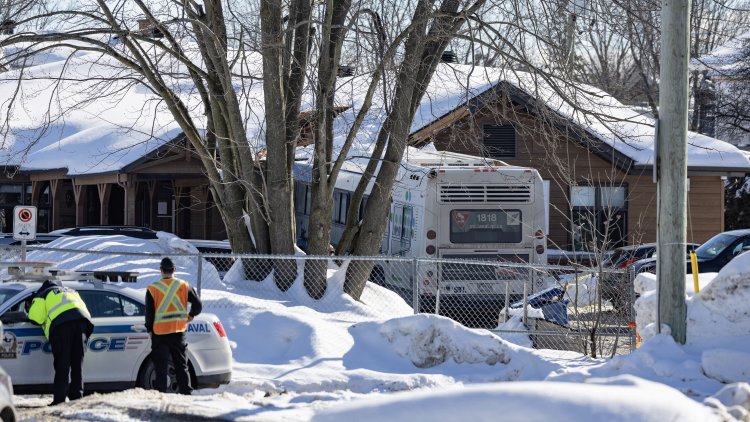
{"x": 599, "y": 217}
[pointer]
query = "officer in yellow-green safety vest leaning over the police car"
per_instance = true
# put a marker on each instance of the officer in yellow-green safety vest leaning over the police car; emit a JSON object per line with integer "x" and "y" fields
{"x": 67, "y": 325}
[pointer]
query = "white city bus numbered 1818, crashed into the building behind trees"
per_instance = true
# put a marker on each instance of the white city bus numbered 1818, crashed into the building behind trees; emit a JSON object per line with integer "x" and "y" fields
{"x": 456, "y": 207}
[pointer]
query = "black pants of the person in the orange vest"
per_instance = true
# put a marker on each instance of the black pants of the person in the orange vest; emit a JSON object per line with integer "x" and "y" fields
{"x": 162, "y": 347}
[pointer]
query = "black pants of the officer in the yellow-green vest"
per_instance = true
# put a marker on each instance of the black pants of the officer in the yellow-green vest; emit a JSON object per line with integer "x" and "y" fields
{"x": 68, "y": 341}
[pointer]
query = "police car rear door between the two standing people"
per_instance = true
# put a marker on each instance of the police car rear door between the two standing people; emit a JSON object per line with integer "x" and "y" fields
{"x": 119, "y": 340}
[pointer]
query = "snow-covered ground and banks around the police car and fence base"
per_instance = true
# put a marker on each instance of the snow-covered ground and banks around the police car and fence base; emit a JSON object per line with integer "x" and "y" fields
{"x": 340, "y": 360}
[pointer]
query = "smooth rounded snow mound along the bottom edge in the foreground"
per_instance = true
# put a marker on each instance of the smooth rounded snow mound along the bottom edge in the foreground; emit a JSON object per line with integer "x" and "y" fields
{"x": 618, "y": 399}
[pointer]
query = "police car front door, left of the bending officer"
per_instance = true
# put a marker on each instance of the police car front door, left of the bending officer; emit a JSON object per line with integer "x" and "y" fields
{"x": 25, "y": 353}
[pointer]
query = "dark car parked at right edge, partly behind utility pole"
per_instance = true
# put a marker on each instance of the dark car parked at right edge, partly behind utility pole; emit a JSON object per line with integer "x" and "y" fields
{"x": 713, "y": 255}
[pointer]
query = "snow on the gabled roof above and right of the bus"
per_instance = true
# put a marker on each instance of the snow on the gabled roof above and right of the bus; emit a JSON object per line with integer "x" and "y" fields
{"x": 625, "y": 129}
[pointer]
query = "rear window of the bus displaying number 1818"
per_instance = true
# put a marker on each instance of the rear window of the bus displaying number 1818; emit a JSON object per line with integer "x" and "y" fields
{"x": 485, "y": 226}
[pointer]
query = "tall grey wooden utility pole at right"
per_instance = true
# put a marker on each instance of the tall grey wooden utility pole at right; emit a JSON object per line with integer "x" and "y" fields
{"x": 672, "y": 166}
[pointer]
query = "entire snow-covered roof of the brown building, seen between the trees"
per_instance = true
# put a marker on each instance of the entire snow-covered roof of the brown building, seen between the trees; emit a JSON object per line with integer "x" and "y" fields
{"x": 104, "y": 126}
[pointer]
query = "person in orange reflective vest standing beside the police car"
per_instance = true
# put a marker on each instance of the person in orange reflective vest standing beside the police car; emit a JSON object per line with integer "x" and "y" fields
{"x": 167, "y": 318}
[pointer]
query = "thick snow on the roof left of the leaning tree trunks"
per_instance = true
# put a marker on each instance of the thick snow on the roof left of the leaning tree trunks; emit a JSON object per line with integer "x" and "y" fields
{"x": 94, "y": 124}
